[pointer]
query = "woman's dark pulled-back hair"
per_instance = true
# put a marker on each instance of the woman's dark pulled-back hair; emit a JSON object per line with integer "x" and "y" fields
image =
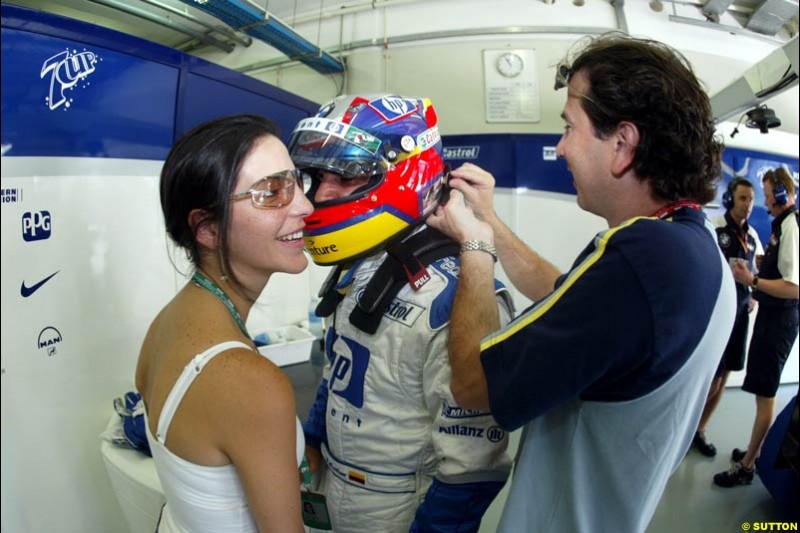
{"x": 200, "y": 173}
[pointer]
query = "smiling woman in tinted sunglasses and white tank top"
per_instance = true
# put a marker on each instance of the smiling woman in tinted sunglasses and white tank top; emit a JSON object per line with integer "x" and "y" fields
{"x": 220, "y": 417}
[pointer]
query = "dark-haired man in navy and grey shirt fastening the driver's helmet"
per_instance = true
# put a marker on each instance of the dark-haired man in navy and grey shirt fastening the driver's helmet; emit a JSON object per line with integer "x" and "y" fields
{"x": 609, "y": 370}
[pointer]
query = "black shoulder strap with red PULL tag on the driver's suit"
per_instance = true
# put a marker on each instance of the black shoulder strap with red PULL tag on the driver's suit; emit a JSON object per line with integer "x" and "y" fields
{"x": 405, "y": 263}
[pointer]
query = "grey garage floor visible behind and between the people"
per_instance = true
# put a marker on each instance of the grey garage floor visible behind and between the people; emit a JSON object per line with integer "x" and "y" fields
{"x": 691, "y": 502}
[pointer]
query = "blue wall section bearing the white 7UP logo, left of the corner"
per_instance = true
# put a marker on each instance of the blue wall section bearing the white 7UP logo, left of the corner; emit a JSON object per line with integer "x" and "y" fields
{"x": 61, "y": 98}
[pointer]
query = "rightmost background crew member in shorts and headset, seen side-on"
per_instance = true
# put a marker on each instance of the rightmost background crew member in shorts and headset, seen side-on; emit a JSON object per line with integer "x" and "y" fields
{"x": 775, "y": 330}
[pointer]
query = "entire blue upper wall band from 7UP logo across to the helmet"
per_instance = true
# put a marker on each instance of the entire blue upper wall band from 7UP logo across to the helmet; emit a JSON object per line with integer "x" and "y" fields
{"x": 79, "y": 90}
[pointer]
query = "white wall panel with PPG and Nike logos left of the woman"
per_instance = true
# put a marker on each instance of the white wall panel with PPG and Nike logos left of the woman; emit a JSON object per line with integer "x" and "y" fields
{"x": 107, "y": 245}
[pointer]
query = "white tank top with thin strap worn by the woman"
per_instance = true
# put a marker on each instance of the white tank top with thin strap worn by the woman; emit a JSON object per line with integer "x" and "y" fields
{"x": 200, "y": 498}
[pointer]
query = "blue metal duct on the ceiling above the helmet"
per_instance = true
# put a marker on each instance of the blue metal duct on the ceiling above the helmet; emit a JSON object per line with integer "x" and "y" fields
{"x": 246, "y": 17}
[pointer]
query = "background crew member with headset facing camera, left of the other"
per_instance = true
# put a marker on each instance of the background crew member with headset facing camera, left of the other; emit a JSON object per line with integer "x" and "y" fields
{"x": 738, "y": 242}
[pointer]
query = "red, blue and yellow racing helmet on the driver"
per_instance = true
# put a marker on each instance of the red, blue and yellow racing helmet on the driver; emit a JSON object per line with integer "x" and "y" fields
{"x": 391, "y": 140}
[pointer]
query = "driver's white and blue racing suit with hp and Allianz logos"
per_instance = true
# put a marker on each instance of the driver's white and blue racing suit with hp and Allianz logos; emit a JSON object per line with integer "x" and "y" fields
{"x": 399, "y": 453}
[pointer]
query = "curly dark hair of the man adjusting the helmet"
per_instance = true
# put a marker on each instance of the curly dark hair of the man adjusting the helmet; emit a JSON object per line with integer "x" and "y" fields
{"x": 653, "y": 86}
